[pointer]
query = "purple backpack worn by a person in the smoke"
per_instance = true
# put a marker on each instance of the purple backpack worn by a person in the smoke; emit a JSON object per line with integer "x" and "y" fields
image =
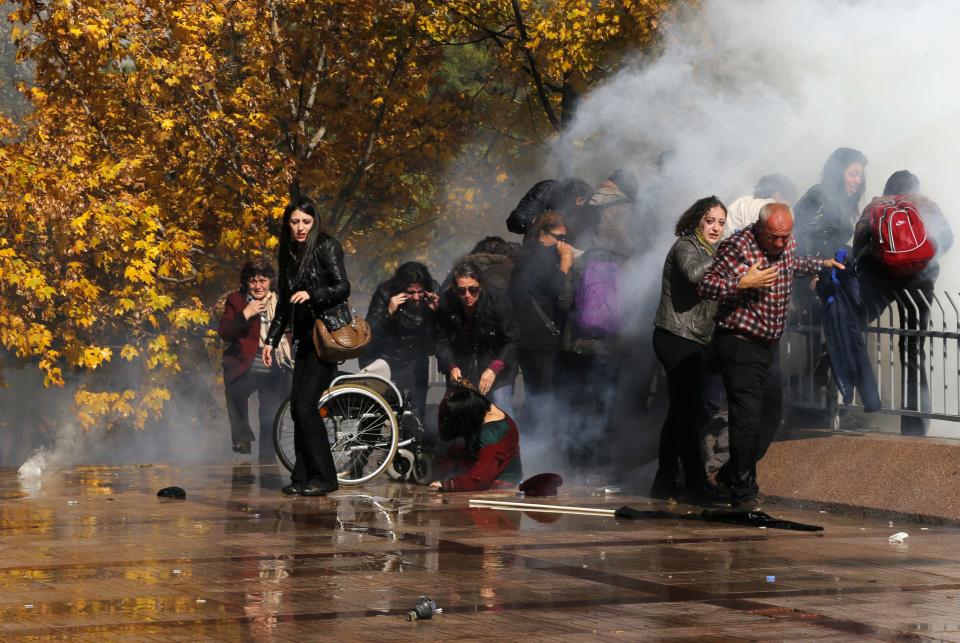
{"x": 598, "y": 310}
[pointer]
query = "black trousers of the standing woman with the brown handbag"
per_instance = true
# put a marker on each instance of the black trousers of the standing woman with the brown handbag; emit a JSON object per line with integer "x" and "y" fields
{"x": 311, "y": 377}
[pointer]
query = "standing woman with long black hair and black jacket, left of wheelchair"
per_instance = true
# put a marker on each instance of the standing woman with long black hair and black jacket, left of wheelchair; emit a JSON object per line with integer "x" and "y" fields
{"x": 313, "y": 285}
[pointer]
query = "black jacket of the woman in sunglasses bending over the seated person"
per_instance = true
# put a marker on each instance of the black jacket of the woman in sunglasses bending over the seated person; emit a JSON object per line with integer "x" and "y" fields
{"x": 472, "y": 344}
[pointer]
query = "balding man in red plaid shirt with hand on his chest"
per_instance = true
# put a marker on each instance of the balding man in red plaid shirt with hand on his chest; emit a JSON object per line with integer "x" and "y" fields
{"x": 752, "y": 277}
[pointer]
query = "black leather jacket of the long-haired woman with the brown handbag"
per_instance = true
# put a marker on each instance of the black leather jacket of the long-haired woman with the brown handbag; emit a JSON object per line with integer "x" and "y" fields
{"x": 325, "y": 280}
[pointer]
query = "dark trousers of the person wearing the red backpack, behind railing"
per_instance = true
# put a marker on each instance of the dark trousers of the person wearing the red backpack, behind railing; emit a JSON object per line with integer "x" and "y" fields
{"x": 878, "y": 290}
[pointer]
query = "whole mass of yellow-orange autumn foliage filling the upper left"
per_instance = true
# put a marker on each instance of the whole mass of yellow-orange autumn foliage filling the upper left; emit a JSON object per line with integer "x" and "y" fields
{"x": 163, "y": 139}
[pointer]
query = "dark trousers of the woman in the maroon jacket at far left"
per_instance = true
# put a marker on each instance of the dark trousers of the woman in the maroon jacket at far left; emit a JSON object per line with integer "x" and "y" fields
{"x": 271, "y": 388}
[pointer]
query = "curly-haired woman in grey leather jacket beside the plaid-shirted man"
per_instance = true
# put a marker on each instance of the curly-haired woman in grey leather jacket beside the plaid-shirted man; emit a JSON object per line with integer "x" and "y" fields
{"x": 682, "y": 330}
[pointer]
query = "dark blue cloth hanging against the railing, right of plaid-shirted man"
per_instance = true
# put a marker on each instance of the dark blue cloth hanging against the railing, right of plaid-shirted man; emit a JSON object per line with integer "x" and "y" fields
{"x": 839, "y": 293}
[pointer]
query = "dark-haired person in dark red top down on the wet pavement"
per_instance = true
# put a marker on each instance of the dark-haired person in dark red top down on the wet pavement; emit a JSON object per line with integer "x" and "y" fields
{"x": 490, "y": 452}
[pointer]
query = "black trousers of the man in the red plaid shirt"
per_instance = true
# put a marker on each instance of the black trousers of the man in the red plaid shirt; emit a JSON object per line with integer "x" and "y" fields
{"x": 751, "y": 375}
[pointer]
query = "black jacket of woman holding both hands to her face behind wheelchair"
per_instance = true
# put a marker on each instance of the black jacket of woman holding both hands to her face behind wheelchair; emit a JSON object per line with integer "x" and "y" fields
{"x": 400, "y": 338}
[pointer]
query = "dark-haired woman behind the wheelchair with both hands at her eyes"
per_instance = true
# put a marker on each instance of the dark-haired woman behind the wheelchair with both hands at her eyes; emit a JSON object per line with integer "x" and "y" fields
{"x": 401, "y": 317}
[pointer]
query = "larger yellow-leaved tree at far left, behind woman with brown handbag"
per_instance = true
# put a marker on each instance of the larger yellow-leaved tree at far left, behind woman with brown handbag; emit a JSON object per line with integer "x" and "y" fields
{"x": 163, "y": 142}
